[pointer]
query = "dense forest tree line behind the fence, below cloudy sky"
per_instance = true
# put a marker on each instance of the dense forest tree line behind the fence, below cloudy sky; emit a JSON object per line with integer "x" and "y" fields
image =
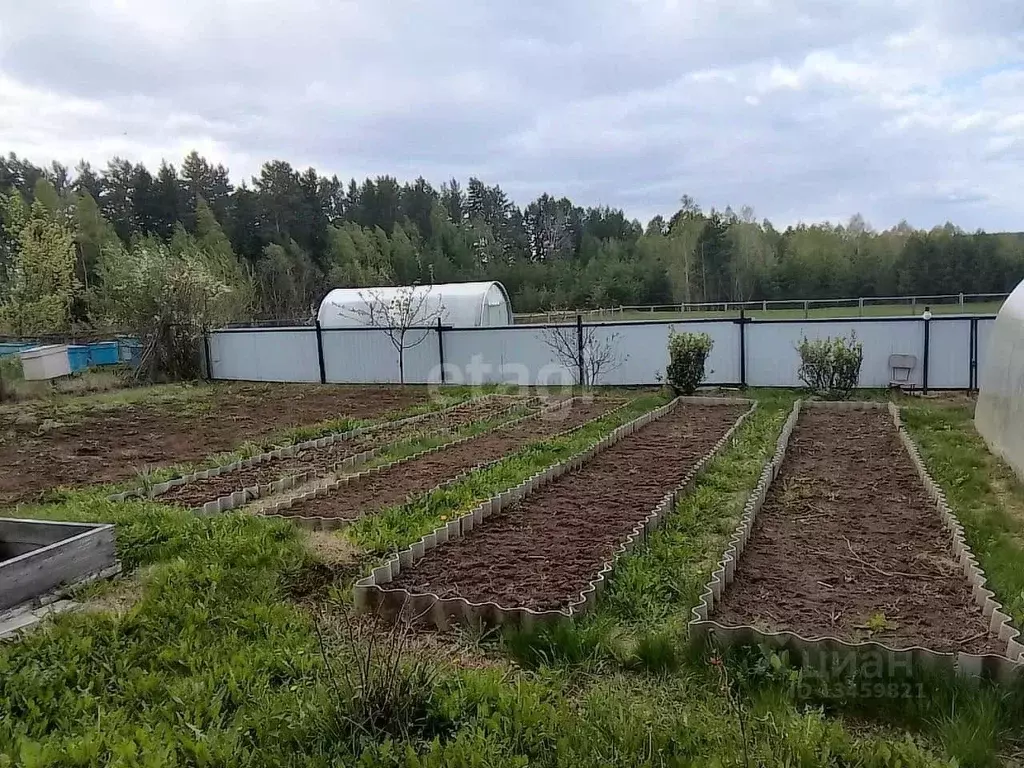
{"x": 114, "y": 247}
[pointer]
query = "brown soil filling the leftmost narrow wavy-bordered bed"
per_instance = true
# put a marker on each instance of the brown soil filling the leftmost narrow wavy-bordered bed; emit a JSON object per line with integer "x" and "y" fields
{"x": 323, "y": 461}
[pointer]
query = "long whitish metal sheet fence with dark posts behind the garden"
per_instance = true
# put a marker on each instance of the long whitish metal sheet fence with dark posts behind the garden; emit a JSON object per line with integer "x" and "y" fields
{"x": 747, "y": 352}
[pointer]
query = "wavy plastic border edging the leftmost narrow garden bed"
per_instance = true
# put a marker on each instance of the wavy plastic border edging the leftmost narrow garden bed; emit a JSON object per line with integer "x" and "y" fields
{"x": 237, "y": 499}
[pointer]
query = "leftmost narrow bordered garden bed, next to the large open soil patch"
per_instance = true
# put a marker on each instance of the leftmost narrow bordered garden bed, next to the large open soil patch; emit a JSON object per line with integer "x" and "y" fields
{"x": 314, "y": 460}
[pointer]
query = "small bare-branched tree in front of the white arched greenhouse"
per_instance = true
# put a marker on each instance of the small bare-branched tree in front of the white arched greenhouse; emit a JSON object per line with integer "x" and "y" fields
{"x": 404, "y": 318}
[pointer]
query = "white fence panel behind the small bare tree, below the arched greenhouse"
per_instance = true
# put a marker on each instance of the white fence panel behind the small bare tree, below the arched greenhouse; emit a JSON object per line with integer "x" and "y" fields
{"x": 369, "y": 357}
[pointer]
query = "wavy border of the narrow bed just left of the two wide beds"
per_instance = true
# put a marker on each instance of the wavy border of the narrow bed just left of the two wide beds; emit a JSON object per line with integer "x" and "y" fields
{"x": 334, "y": 524}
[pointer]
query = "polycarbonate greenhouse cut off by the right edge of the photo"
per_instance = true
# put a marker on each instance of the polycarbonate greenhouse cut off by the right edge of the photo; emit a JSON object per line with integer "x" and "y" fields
{"x": 1000, "y": 415}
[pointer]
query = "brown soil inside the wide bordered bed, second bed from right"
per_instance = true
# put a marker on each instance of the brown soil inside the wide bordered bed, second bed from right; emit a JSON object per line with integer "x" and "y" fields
{"x": 544, "y": 551}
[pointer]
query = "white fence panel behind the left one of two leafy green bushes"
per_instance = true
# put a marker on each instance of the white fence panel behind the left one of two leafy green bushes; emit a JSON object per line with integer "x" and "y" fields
{"x": 643, "y": 352}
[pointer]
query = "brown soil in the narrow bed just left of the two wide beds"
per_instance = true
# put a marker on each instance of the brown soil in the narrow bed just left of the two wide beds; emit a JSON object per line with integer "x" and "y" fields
{"x": 376, "y": 492}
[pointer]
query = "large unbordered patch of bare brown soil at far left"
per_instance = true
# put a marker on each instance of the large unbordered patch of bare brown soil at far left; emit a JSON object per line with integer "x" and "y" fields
{"x": 110, "y": 445}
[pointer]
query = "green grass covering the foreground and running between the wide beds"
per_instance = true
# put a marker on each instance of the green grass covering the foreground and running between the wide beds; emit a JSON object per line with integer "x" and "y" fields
{"x": 217, "y": 666}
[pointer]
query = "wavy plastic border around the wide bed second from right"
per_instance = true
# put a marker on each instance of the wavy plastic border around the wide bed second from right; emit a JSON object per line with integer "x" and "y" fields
{"x": 372, "y": 596}
